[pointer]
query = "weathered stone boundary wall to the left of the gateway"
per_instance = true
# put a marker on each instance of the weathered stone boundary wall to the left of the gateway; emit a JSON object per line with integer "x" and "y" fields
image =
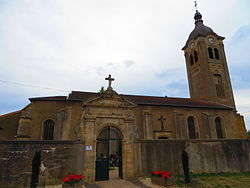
{"x": 59, "y": 157}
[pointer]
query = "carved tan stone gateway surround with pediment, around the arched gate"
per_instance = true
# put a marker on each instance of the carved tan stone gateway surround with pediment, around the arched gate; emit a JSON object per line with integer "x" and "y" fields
{"x": 98, "y": 113}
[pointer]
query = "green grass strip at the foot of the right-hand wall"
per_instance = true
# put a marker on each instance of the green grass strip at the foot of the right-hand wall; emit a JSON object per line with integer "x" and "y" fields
{"x": 218, "y": 180}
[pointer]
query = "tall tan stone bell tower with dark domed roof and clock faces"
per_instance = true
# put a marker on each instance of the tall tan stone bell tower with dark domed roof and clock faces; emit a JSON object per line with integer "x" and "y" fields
{"x": 206, "y": 63}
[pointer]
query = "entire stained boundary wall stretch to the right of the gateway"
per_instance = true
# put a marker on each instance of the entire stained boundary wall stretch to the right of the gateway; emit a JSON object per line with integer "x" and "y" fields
{"x": 205, "y": 156}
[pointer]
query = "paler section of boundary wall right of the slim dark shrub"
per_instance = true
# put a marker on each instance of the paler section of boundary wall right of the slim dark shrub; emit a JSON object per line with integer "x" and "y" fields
{"x": 219, "y": 156}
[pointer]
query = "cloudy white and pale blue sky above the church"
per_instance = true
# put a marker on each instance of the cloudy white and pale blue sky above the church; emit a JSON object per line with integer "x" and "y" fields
{"x": 51, "y": 47}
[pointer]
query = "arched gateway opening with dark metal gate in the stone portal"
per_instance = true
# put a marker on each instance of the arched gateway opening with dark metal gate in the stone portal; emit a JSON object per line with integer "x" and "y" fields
{"x": 109, "y": 154}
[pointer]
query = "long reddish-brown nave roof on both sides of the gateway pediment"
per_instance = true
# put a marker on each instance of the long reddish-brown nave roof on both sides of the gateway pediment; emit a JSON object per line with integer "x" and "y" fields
{"x": 153, "y": 100}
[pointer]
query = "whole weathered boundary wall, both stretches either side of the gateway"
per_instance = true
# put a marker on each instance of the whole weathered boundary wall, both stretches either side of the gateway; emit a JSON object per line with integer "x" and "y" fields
{"x": 66, "y": 157}
